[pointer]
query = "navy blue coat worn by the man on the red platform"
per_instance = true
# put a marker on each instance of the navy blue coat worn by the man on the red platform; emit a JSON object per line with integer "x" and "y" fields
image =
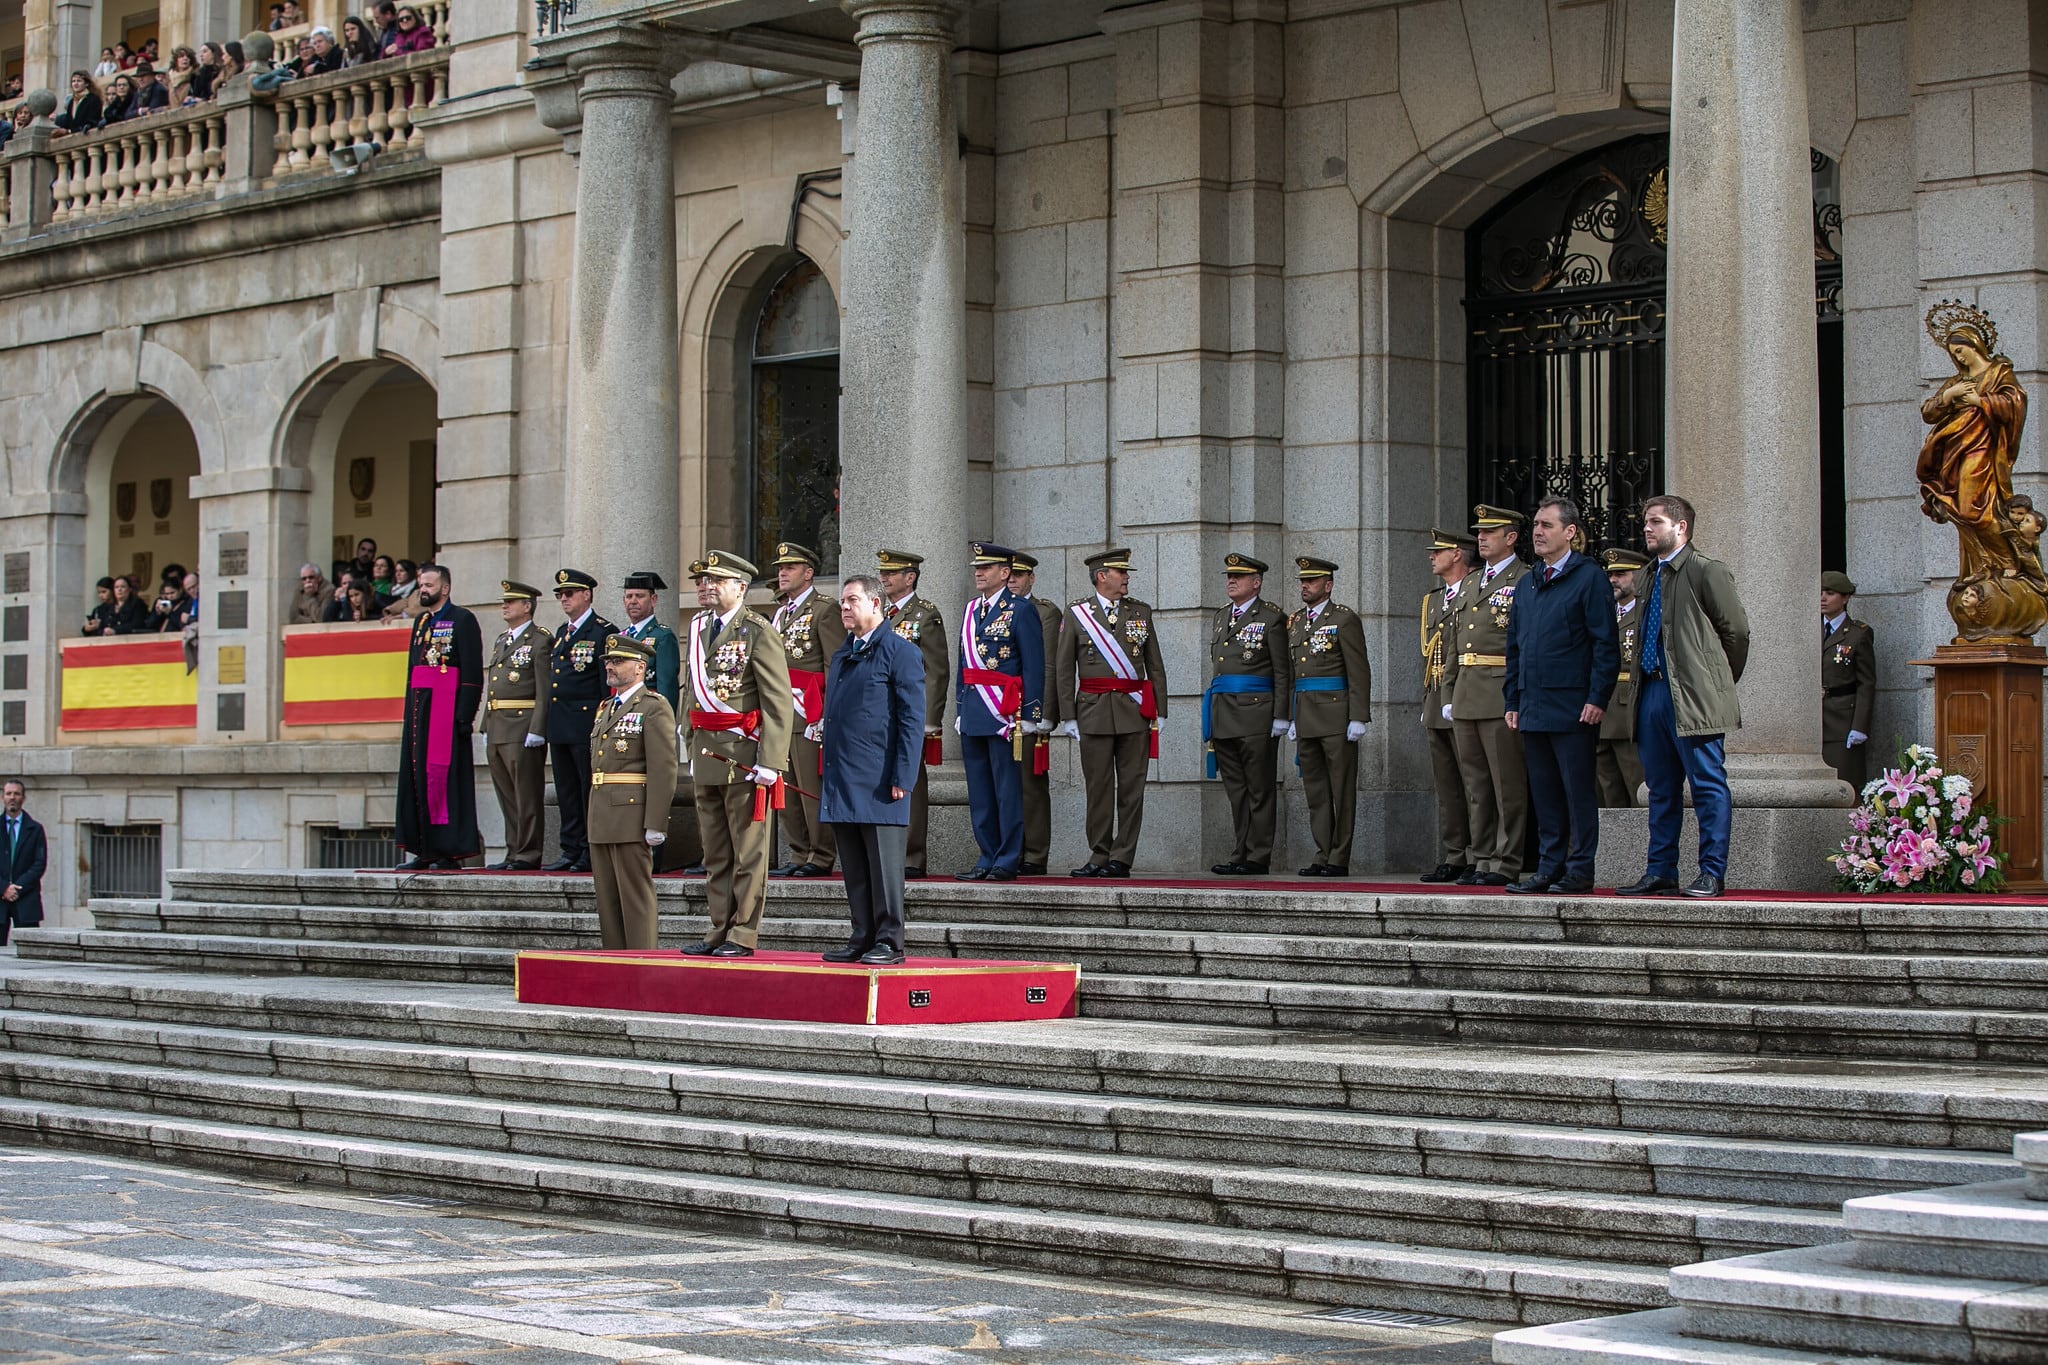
{"x": 873, "y": 732}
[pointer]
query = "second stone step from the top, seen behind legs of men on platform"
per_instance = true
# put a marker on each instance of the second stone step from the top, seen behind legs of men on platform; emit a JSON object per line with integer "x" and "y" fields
{"x": 1445, "y": 965}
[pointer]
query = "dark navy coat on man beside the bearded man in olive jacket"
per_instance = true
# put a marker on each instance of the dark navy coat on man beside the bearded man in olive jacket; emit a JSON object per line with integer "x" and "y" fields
{"x": 1562, "y": 648}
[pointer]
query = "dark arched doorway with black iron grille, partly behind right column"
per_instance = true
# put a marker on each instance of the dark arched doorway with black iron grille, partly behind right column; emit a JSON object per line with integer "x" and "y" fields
{"x": 1566, "y": 328}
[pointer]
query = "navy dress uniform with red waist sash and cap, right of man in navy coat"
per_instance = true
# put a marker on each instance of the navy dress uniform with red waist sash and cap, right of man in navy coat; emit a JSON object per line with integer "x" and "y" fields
{"x": 998, "y": 699}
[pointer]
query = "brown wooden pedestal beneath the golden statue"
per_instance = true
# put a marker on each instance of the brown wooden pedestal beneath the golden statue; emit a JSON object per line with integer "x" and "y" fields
{"x": 1988, "y": 725}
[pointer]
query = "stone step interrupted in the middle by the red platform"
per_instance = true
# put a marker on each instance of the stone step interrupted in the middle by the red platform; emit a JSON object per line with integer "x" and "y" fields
{"x": 1406, "y": 1012}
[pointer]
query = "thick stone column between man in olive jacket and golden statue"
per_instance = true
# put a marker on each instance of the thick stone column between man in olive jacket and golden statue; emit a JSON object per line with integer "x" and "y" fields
{"x": 1742, "y": 423}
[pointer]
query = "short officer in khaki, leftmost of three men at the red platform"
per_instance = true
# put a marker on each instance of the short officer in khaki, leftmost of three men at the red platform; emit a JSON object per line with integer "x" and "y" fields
{"x": 632, "y": 783}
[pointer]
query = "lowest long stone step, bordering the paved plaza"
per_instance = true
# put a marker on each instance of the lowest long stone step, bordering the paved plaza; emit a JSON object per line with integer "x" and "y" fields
{"x": 1471, "y": 1284}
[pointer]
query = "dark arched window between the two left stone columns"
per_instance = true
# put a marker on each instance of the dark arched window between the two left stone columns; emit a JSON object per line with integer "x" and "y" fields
{"x": 796, "y": 373}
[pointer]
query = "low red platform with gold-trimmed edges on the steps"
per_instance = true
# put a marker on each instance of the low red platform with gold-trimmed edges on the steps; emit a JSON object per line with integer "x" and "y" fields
{"x": 802, "y": 987}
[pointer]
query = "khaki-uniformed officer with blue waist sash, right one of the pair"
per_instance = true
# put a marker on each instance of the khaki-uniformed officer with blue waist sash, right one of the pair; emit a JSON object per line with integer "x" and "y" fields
{"x": 1332, "y": 703}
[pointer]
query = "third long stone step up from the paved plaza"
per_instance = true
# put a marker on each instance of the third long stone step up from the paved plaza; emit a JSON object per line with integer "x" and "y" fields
{"x": 1582, "y": 1159}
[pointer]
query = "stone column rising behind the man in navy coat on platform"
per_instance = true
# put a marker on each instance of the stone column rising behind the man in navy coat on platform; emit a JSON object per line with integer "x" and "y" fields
{"x": 904, "y": 341}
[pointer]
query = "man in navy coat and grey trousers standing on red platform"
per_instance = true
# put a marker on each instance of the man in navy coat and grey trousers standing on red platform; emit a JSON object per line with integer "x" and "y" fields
{"x": 873, "y": 742}
